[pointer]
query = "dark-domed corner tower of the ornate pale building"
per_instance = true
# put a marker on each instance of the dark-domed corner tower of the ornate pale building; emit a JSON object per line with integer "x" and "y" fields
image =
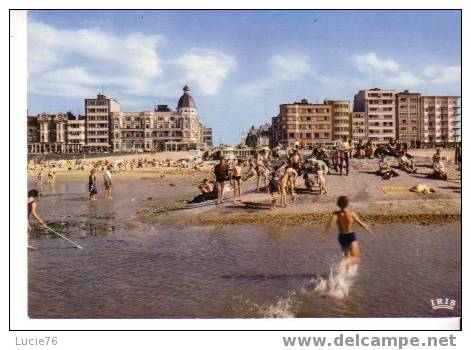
{"x": 189, "y": 122}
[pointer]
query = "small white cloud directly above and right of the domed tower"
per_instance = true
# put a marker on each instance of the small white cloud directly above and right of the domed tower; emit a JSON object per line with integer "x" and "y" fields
{"x": 206, "y": 68}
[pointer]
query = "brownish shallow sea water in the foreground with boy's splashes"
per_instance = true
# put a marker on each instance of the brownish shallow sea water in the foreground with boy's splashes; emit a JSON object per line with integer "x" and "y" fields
{"x": 132, "y": 269}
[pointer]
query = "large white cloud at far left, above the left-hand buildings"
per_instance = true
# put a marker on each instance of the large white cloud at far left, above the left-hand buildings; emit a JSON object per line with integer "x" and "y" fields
{"x": 67, "y": 62}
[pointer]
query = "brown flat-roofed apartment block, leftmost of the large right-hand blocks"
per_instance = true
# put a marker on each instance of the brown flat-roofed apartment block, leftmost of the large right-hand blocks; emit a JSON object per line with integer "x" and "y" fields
{"x": 306, "y": 121}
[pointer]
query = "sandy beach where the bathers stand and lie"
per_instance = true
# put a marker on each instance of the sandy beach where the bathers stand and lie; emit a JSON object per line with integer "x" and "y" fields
{"x": 375, "y": 199}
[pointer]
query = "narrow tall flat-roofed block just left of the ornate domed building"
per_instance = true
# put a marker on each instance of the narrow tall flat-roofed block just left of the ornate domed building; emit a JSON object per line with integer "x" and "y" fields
{"x": 98, "y": 116}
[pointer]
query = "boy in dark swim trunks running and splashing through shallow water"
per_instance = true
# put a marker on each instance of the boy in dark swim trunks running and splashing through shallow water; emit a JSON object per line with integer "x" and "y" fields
{"x": 347, "y": 240}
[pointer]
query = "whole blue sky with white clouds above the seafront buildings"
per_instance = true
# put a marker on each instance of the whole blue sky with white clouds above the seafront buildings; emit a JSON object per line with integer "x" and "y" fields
{"x": 240, "y": 65}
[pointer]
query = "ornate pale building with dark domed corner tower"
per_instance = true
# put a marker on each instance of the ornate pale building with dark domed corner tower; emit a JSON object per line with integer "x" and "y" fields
{"x": 163, "y": 129}
